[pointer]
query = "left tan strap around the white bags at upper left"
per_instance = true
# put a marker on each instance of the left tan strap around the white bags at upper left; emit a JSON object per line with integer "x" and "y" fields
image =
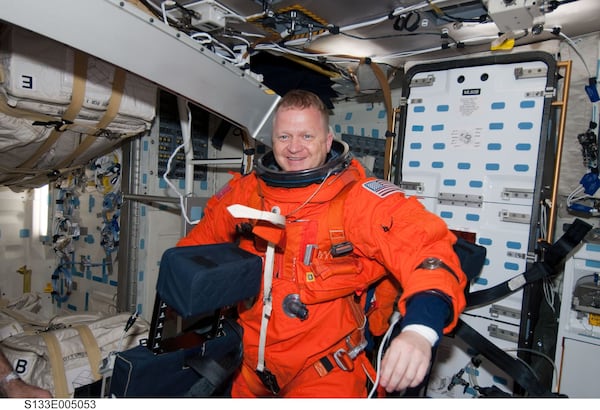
{"x": 79, "y": 81}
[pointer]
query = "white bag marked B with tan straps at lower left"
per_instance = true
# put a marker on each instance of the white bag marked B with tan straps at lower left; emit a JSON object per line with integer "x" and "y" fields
{"x": 71, "y": 351}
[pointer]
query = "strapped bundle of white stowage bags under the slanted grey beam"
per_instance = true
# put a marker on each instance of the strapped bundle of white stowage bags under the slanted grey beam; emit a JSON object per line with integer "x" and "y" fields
{"x": 60, "y": 108}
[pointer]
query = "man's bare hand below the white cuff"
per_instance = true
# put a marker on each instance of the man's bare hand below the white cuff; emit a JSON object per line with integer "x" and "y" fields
{"x": 405, "y": 362}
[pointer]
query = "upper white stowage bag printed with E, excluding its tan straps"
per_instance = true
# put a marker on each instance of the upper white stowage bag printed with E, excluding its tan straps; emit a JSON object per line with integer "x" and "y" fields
{"x": 36, "y": 74}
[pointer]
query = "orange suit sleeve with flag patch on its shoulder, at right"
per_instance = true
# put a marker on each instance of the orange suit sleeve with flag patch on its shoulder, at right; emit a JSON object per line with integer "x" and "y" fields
{"x": 400, "y": 233}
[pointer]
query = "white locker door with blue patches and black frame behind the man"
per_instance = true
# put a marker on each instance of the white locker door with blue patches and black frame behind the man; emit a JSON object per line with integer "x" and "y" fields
{"x": 472, "y": 146}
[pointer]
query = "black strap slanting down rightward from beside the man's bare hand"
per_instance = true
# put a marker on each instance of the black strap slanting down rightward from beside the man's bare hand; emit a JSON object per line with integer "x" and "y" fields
{"x": 519, "y": 371}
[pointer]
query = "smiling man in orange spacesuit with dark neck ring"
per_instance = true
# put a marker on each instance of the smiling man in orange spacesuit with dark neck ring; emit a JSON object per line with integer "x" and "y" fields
{"x": 344, "y": 232}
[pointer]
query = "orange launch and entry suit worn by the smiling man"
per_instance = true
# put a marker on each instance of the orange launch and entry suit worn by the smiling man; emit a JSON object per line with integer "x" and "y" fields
{"x": 388, "y": 234}
